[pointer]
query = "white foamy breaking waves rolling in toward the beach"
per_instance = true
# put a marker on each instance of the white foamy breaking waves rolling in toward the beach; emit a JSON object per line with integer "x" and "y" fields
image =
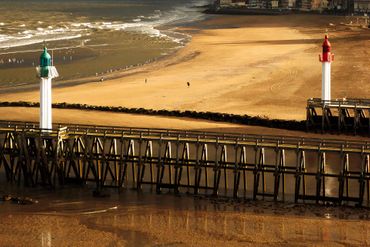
{"x": 151, "y": 24}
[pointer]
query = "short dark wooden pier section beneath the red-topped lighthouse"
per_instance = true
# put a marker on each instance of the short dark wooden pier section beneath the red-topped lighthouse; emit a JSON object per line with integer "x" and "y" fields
{"x": 343, "y": 115}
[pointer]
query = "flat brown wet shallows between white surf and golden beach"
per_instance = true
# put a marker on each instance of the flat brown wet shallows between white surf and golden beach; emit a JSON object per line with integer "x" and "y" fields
{"x": 81, "y": 61}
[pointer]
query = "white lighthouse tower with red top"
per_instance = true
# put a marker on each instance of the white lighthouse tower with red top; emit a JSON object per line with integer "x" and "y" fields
{"x": 326, "y": 58}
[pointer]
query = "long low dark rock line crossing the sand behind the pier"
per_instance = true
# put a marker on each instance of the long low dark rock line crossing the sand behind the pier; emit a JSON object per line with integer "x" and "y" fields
{"x": 212, "y": 116}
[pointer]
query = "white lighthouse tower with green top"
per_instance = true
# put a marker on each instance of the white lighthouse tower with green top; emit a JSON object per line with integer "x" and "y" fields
{"x": 46, "y": 71}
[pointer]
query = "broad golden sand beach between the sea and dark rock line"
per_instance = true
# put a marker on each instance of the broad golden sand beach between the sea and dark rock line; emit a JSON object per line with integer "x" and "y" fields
{"x": 243, "y": 65}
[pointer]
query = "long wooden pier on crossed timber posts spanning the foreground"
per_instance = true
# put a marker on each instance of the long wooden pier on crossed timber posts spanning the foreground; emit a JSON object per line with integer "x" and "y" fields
{"x": 234, "y": 165}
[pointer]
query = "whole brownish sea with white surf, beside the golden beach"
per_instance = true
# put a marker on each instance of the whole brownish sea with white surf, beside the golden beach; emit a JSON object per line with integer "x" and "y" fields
{"x": 89, "y": 37}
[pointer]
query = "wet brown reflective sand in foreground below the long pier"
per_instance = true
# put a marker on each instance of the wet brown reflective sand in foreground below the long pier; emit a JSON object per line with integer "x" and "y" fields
{"x": 72, "y": 217}
